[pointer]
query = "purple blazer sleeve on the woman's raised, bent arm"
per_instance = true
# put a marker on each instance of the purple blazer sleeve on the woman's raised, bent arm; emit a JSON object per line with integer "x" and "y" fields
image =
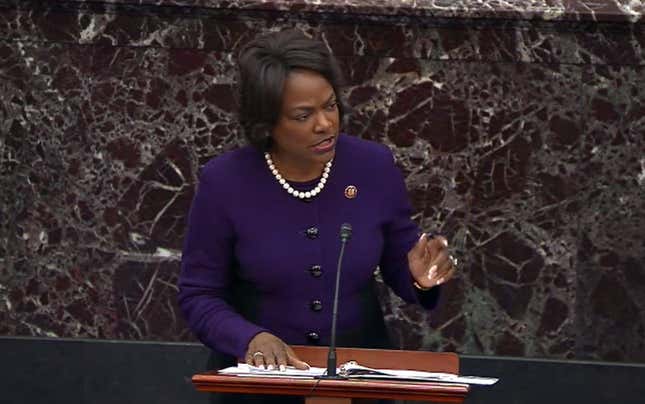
{"x": 400, "y": 235}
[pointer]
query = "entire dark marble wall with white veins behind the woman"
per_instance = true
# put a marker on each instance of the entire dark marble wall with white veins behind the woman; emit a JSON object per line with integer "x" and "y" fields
{"x": 521, "y": 134}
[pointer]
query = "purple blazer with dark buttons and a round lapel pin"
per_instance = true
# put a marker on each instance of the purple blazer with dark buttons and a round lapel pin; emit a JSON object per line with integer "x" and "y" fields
{"x": 245, "y": 229}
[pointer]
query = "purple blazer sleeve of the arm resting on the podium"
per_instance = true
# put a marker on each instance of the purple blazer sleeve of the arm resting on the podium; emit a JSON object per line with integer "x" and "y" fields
{"x": 206, "y": 273}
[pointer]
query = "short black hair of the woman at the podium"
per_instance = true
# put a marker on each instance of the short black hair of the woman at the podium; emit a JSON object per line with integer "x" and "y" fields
{"x": 264, "y": 64}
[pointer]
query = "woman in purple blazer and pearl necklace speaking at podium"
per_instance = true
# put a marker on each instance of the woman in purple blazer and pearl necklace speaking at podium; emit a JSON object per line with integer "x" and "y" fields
{"x": 259, "y": 262}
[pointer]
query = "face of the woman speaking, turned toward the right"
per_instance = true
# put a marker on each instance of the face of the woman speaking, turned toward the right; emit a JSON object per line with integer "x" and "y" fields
{"x": 307, "y": 129}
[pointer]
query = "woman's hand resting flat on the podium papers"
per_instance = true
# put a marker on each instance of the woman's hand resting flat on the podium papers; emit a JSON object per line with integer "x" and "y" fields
{"x": 268, "y": 350}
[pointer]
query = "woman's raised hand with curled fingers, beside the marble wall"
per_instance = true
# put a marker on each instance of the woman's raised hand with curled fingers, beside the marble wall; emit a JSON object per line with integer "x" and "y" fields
{"x": 430, "y": 262}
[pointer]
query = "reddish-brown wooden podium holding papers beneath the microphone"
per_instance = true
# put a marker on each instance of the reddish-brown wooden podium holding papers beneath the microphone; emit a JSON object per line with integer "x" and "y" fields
{"x": 344, "y": 391}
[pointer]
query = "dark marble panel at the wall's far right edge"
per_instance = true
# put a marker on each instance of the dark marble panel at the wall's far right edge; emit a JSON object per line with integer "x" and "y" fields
{"x": 611, "y": 257}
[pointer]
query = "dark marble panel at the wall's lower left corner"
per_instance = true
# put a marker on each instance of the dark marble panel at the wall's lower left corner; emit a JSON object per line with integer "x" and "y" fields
{"x": 58, "y": 293}
